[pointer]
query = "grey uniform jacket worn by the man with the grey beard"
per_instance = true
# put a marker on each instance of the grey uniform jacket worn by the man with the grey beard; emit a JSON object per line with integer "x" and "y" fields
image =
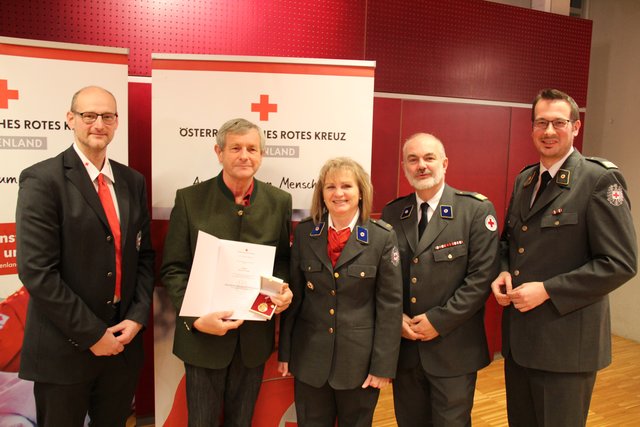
{"x": 447, "y": 275}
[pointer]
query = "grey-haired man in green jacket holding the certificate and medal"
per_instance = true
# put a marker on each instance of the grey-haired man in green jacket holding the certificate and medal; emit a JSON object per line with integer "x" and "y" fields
{"x": 224, "y": 359}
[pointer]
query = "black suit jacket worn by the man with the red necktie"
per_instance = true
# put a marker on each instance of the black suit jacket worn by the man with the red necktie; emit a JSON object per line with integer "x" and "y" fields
{"x": 66, "y": 260}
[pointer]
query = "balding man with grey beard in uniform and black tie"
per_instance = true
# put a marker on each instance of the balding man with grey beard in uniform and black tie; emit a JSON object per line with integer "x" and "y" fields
{"x": 447, "y": 267}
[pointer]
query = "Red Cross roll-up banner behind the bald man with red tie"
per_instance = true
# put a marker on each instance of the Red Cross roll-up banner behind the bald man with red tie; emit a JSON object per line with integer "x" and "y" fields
{"x": 37, "y": 81}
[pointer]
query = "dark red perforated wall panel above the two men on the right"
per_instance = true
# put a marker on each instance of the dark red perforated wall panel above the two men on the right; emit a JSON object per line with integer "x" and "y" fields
{"x": 476, "y": 49}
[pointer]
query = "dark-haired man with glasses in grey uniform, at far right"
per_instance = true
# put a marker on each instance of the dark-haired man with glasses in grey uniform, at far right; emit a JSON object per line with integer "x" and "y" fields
{"x": 563, "y": 251}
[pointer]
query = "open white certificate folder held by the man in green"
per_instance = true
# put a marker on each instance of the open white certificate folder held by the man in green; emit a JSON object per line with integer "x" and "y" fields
{"x": 225, "y": 275}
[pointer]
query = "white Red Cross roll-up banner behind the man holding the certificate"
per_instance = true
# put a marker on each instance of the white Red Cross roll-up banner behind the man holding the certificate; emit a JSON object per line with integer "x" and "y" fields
{"x": 311, "y": 110}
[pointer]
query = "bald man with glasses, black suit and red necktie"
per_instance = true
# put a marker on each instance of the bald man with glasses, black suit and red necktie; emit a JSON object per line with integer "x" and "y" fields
{"x": 90, "y": 279}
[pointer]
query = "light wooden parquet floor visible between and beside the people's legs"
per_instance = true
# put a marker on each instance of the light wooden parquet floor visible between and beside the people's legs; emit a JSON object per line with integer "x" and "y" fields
{"x": 615, "y": 402}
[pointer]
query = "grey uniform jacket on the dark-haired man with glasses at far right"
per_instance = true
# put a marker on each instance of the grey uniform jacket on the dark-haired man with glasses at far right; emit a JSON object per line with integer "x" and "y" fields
{"x": 580, "y": 241}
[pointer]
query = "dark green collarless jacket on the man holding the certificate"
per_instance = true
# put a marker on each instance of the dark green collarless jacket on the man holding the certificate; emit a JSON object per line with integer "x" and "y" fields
{"x": 210, "y": 207}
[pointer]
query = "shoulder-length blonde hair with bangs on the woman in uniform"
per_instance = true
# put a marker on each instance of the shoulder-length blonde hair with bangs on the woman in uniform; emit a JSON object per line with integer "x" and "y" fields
{"x": 365, "y": 203}
